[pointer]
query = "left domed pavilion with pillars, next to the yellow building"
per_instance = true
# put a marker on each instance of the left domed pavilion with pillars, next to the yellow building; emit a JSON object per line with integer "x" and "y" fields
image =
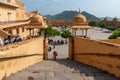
{"x": 37, "y": 22}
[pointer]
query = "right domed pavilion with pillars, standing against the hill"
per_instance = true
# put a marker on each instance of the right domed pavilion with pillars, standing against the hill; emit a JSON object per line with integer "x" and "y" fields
{"x": 80, "y": 22}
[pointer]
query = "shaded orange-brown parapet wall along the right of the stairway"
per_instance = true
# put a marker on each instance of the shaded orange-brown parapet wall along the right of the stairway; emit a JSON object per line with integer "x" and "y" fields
{"x": 100, "y": 54}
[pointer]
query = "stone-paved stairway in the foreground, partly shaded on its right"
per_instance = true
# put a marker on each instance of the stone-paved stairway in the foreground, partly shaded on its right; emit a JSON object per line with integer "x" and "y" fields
{"x": 61, "y": 69}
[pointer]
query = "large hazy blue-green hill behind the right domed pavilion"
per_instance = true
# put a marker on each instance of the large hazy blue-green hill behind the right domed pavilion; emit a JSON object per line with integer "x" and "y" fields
{"x": 69, "y": 15}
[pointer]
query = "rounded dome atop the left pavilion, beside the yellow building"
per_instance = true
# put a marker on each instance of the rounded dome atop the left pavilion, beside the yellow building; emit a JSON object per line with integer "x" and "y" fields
{"x": 36, "y": 20}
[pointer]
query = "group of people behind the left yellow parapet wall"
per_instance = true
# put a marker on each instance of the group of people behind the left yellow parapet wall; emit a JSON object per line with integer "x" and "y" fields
{"x": 10, "y": 39}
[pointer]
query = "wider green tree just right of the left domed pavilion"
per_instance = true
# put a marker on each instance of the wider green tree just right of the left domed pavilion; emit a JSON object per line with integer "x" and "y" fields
{"x": 51, "y": 32}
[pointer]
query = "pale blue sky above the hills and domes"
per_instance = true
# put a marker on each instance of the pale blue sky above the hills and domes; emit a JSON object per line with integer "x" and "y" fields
{"x": 99, "y": 8}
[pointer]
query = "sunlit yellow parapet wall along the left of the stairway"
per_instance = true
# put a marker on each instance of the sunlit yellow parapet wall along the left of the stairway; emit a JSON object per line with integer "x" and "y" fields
{"x": 15, "y": 57}
